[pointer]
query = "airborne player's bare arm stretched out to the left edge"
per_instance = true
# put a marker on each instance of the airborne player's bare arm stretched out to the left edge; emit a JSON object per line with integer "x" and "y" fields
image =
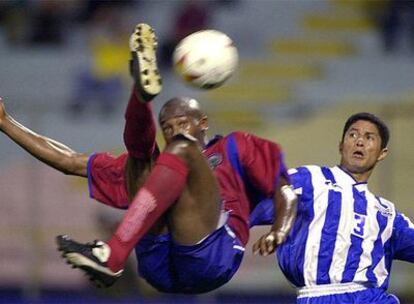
{"x": 47, "y": 150}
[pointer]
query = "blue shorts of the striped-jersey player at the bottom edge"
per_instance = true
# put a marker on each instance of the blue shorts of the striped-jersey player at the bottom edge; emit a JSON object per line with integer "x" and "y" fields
{"x": 370, "y": 295}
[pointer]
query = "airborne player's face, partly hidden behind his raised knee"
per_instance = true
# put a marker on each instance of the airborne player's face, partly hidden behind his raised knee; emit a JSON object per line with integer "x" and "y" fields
{"x": 184, "y": 124}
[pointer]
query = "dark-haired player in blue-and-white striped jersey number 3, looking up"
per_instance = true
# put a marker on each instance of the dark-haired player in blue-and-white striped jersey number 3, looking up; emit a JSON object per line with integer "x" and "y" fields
{"x": 345, "y": 238}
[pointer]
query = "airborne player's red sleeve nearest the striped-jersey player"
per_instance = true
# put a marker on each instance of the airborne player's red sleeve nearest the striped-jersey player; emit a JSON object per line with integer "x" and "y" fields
{"x": 262, "y": 162}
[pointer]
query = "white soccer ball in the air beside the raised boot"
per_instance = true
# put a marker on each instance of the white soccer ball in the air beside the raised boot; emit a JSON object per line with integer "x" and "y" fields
{"x": 205, "y": 59}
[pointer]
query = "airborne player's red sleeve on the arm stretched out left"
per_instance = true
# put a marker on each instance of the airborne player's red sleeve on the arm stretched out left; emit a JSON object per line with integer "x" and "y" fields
{"x": 106, "y": 179}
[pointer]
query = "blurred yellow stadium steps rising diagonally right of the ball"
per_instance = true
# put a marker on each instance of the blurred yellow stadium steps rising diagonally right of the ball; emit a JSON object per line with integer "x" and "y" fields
{"x": 294, "y": 61}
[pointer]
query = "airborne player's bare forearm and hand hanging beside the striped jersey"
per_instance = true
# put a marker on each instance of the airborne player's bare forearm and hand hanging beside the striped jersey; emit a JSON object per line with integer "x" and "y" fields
{"x": 285, "y": 202}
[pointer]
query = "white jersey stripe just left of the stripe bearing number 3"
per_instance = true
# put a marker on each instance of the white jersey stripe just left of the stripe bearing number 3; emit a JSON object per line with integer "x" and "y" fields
{"x": 310, "y": 267}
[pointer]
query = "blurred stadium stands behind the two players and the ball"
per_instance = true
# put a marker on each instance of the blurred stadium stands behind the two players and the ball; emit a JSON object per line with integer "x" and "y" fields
{"x": 305, "y": 66}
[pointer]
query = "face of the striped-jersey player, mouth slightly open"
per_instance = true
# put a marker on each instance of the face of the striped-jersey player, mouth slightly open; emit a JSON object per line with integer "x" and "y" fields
{"x": 361, "y": 149}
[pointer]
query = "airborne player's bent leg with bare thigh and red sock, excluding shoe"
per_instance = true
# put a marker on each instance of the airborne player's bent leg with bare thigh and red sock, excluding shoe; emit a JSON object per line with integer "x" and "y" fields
{"x": 180, "y": 177}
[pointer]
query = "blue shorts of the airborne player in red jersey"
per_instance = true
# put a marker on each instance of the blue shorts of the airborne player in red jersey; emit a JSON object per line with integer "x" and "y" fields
{"x": 175, "y": 268}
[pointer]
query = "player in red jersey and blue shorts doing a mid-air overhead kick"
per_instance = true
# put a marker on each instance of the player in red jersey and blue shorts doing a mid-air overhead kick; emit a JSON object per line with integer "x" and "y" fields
{"x": 189, "y": 207}
